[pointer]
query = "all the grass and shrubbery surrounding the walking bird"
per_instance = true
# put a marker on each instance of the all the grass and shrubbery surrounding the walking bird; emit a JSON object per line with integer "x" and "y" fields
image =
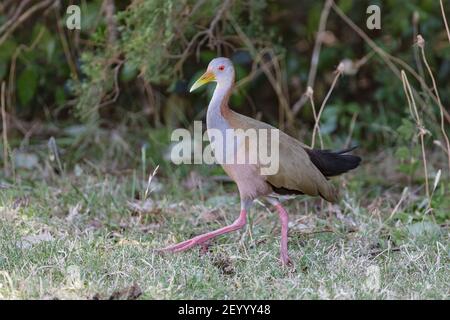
{"x": 87, "y": 116}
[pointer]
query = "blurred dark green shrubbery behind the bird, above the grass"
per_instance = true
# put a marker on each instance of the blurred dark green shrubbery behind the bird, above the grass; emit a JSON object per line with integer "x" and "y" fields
{"x": 130, "y": 66}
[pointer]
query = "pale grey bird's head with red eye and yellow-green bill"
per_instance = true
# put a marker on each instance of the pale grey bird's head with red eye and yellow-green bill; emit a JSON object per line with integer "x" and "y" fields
{"x": 220, "y": 70}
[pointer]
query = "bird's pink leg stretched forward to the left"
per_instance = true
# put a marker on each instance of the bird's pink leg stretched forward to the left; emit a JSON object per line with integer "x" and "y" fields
{"x": 238, "y": 224}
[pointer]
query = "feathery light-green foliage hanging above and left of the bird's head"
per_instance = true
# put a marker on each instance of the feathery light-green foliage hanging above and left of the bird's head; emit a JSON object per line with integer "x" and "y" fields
{"x": 155, "y": 38}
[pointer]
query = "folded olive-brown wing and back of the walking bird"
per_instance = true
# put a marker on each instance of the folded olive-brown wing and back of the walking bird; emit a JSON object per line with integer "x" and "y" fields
{"x": 296, "y": 171}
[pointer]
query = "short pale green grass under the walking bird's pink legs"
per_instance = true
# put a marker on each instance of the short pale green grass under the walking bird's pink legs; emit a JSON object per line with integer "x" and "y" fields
{"x": 86, "y": 235}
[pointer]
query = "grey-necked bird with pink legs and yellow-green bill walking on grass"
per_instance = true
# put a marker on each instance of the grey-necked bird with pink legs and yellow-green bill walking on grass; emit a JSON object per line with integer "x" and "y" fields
{"x": 301, "y": 170}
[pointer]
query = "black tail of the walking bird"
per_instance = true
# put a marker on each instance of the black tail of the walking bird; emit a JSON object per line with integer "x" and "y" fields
{"x": 333, "y": 163}
